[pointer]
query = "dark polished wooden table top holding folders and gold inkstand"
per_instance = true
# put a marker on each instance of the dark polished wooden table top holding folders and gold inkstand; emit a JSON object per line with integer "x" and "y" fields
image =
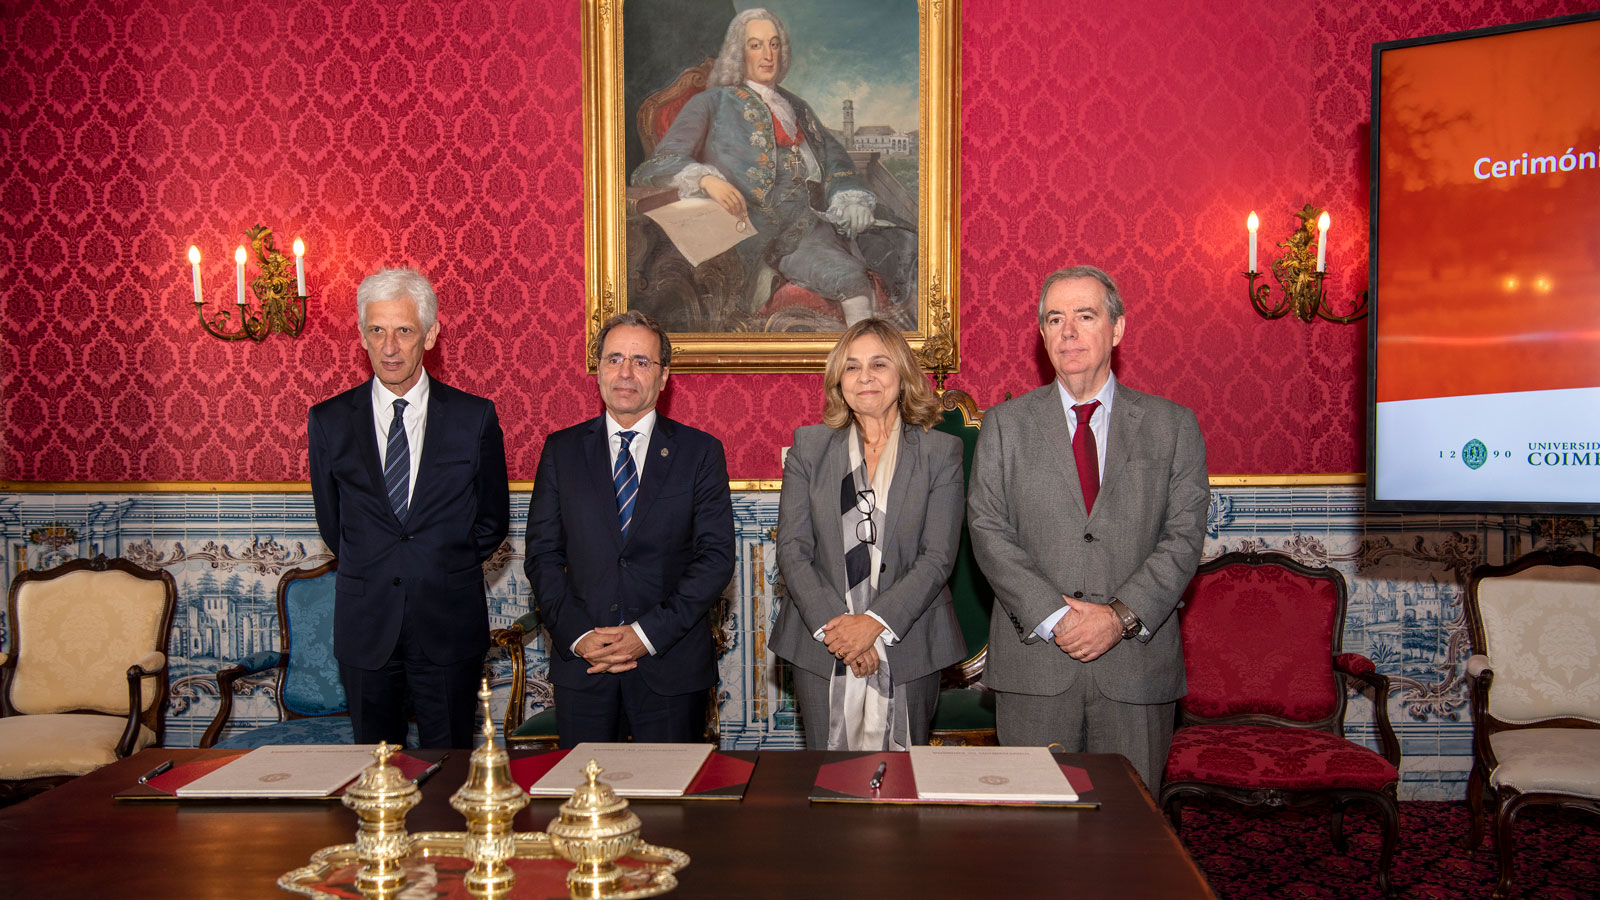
{"x": 76, "y": 842}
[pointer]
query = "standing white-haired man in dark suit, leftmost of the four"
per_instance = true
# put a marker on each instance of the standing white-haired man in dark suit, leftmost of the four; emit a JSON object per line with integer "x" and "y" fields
{"x": 409, "y": 480}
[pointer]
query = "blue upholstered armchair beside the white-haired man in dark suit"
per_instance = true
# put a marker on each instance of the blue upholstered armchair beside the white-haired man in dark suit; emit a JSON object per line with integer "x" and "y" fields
{"x": 305, "y": 675}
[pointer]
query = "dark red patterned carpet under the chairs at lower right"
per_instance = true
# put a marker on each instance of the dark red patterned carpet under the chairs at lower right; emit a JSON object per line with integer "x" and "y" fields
{"x": 1254, "y": 854}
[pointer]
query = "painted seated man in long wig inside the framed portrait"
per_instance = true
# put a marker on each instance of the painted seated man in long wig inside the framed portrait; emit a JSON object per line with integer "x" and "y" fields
{"x": 762, "y": 153}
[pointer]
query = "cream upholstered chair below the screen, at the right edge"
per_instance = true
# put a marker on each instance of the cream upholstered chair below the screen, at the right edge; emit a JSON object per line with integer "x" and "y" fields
{"x": 1535, "y": 686}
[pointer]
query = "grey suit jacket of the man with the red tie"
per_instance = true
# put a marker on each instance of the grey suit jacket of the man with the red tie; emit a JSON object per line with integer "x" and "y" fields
{"x": 1036, "y": 544}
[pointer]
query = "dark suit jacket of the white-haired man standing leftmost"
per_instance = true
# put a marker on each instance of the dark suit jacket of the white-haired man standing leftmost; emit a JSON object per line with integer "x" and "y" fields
{"x": 425, "y": 573}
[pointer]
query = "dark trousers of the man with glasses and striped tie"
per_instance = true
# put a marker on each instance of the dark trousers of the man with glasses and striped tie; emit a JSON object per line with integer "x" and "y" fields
{"x": 615, "y": 707}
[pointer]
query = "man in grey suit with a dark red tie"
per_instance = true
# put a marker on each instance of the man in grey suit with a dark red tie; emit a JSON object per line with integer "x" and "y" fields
{"x": 1087, "y": 512}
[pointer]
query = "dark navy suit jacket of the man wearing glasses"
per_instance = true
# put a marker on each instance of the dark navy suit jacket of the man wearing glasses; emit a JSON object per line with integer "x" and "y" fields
{"x": 666, "y": 577}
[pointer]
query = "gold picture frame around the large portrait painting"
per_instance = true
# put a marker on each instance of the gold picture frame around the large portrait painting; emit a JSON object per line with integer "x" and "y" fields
{"x": 937, "y": 327}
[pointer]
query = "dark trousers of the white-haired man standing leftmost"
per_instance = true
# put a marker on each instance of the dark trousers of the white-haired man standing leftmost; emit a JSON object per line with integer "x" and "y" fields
{"x": 444, "y": 699}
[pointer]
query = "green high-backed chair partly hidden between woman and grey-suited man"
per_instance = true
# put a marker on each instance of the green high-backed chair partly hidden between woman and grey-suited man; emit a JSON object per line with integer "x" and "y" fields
{"x": 966, "y": 713}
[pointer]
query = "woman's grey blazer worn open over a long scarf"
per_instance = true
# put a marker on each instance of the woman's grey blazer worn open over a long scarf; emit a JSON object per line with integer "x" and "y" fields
{"x": 919, "y": 545}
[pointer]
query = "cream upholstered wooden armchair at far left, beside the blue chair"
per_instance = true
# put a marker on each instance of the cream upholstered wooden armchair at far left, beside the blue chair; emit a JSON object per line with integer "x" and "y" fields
{"x": 86, "y": 680}
